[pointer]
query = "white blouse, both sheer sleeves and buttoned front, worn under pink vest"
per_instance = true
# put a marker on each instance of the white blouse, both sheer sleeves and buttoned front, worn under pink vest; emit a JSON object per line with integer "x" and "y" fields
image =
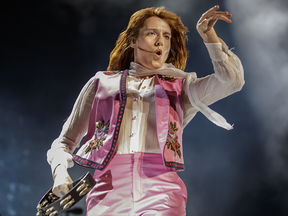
{"x": 138, "y": 128}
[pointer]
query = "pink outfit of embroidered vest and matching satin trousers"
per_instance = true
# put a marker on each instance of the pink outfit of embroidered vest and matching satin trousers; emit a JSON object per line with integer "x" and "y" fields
{"x": 139, "y": 183}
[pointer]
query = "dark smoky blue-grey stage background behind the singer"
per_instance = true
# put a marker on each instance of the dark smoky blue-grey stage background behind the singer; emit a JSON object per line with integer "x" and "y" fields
{"x": 49, "y": 49}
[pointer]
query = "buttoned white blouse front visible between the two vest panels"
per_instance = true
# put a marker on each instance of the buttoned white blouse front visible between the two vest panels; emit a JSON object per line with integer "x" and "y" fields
{"x": 139, "y": 133}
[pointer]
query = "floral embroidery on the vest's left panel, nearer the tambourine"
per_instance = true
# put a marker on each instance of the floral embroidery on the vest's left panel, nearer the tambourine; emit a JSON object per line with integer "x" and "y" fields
{"x": 100, "y": 132}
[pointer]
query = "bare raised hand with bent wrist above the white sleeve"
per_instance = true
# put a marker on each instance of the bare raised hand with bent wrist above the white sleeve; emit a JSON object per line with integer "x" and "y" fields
{"x": 205, "y": 25}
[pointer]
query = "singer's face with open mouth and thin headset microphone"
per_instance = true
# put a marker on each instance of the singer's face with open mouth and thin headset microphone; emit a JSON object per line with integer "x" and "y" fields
{"x": 152, "y": 46}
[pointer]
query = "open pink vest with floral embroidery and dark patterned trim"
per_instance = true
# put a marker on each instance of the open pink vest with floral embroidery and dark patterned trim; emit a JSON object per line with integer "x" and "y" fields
{"x": 107, "y": 113}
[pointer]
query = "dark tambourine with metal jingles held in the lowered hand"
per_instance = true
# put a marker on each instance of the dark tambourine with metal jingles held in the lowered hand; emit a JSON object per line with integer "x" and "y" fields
{"x": 52, "y": 205}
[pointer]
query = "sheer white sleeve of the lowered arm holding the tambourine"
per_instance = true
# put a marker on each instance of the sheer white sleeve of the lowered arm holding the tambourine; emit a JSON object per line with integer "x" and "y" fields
{"x": 73, "y": 129}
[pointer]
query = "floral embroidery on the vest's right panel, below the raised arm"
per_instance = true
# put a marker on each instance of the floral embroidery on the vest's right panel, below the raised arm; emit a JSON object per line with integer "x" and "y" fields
{"x": 172, "y": 139}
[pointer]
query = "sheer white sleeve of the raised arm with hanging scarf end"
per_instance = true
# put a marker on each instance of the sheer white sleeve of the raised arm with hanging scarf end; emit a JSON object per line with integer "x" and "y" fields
{"x": 202, "y": 92}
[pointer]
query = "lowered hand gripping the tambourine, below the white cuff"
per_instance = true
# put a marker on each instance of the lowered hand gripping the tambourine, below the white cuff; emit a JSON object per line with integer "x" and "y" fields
{"x": 61, "y": 181}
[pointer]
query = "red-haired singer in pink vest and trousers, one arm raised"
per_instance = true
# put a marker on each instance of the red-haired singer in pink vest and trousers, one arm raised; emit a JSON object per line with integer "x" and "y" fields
{"x": 134, "y": 118}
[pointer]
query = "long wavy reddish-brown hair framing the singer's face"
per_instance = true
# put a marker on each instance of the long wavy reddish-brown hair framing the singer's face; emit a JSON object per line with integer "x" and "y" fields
{"x": 123, "y": 53}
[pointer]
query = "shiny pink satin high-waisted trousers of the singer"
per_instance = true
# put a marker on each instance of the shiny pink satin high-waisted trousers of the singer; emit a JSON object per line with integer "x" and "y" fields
{"x": 137, "y": 184}
